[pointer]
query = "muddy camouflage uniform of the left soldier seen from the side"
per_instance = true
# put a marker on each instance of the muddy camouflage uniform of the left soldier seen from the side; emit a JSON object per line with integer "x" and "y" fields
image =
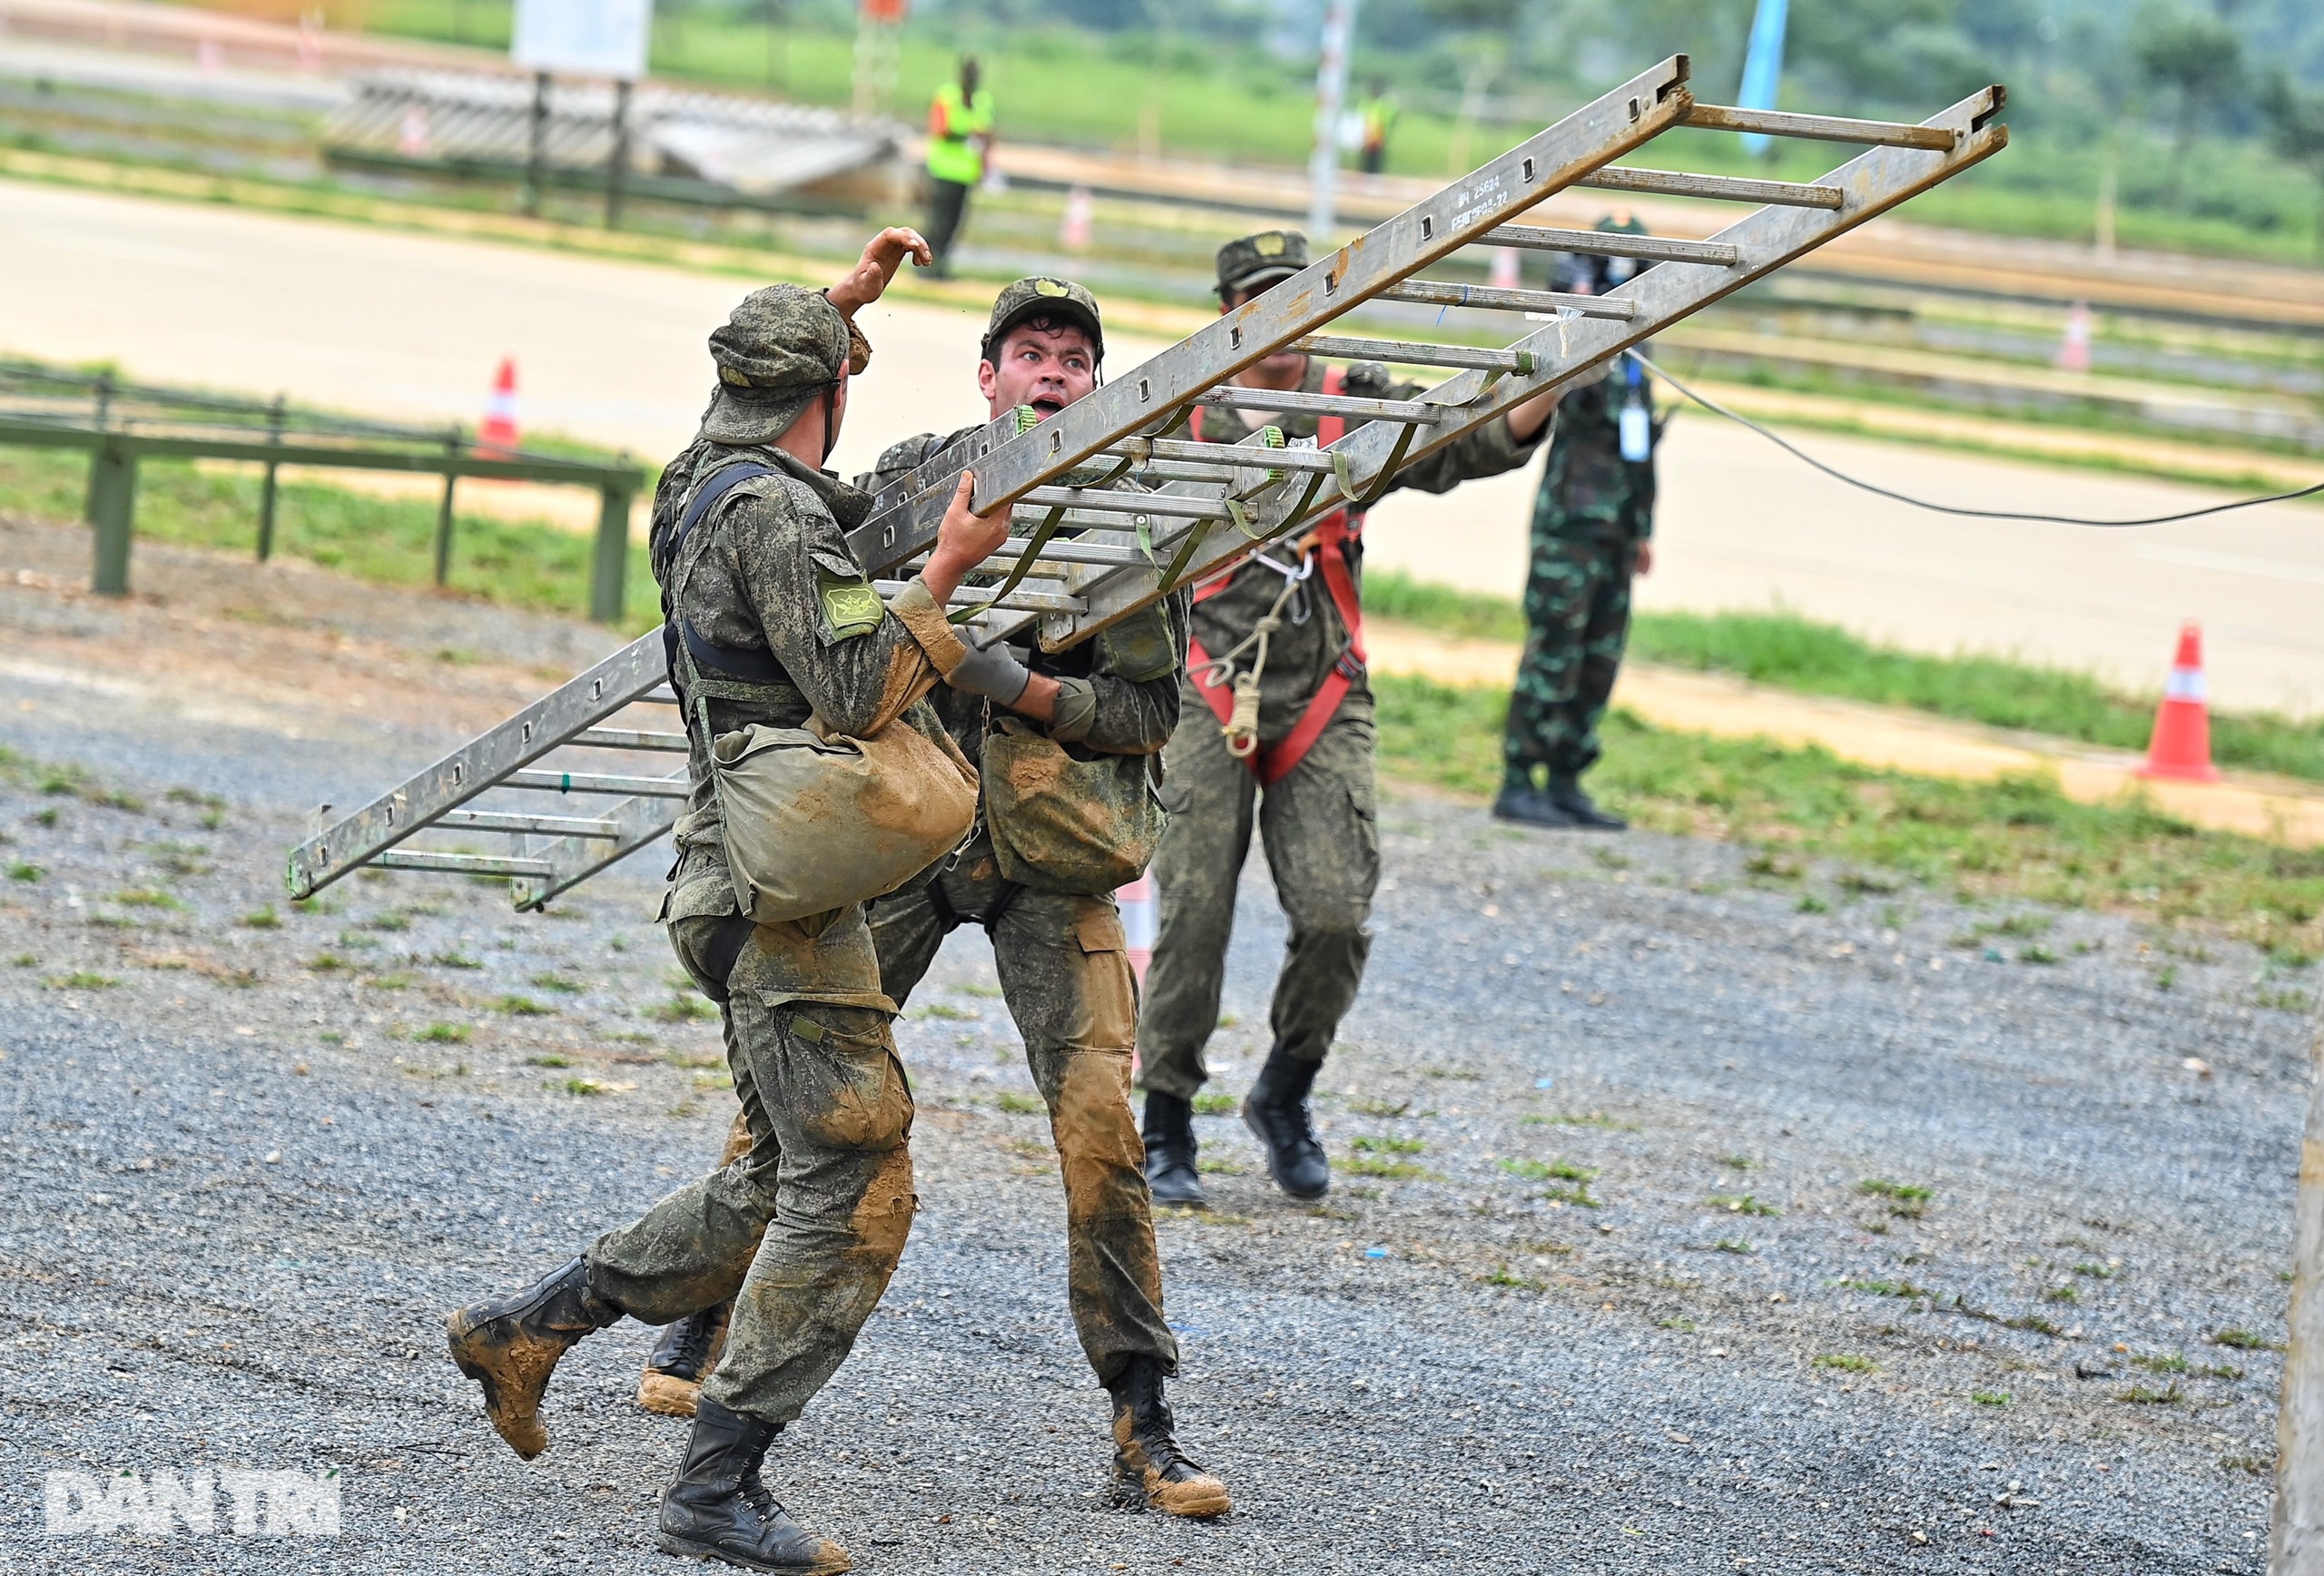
{"x": 803, "y": 1231}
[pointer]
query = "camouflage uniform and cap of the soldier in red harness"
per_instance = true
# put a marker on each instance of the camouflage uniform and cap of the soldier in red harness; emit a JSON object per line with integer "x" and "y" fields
{"x": 1317, "y": 824}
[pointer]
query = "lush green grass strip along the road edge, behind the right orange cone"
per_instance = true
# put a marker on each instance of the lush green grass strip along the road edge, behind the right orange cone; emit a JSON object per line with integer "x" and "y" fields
{"x": 1819, "y": 659}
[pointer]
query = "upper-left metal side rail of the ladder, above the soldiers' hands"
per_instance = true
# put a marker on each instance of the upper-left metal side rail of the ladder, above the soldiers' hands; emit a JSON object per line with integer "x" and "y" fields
{"x": 1300, "y": 306}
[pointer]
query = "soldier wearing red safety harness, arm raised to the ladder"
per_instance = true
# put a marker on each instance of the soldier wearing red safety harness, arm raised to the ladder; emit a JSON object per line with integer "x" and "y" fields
{"x": 1317, "y": 819}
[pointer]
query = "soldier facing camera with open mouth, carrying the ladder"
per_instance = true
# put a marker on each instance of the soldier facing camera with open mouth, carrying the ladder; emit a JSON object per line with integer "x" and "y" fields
{"x": 1063, "y": 959}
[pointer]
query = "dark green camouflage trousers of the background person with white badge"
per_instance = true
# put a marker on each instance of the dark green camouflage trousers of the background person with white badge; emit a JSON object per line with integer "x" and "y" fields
{"x": 1577, "y": 622}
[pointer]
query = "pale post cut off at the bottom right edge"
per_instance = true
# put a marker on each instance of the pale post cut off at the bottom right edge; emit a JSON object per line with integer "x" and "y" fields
{"x": 2297, "y": 1535}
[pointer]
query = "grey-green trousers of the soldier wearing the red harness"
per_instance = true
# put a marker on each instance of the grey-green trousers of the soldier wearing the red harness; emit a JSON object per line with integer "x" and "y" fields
{"x": 1324, "y": 850}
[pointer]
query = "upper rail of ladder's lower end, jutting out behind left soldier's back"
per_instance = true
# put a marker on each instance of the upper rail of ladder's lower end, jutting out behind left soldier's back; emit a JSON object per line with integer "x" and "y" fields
{"x": 478, "y": 766}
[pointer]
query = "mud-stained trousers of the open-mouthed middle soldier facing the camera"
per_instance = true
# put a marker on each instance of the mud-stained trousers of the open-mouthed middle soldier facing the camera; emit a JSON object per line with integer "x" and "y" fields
{"x": 1066, "y": 975}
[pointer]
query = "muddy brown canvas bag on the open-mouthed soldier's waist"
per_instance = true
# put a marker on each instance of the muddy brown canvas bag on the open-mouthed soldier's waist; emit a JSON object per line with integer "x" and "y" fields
{"x": 1063, "y": 824}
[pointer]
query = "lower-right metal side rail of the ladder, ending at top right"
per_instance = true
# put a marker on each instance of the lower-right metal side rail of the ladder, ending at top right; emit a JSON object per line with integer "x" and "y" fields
{"x": 1765, "y": 241}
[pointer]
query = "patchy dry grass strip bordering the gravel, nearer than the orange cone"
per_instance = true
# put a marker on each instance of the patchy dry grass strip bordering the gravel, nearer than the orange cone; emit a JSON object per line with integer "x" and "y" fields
{"x": 1993, "y": 840}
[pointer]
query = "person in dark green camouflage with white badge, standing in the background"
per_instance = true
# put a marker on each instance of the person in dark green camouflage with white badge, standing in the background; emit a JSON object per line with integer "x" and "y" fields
{"x": 1593, "y": 531}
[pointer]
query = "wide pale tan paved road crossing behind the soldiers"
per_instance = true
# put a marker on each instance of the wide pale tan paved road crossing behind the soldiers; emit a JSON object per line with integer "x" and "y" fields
{"x": 415, "y": 327}
